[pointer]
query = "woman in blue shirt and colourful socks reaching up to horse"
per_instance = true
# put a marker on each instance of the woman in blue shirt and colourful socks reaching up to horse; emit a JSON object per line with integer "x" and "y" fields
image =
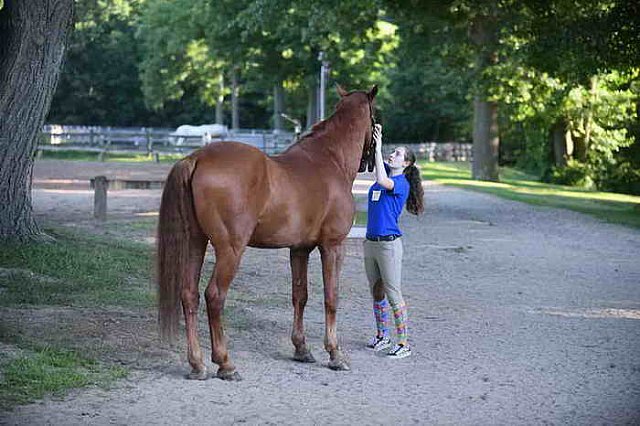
{"x": 397, "y": 184}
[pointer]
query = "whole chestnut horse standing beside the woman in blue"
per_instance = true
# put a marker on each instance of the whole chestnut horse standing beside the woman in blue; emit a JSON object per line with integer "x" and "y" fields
{"x": 233, "y": 196}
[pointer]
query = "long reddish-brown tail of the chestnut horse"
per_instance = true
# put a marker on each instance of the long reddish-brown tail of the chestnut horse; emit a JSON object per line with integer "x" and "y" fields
{"x": 176, "y": 225}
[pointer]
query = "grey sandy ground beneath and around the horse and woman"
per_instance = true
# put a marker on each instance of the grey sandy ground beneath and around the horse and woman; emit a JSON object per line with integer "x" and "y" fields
{"x": 518, "y": 315}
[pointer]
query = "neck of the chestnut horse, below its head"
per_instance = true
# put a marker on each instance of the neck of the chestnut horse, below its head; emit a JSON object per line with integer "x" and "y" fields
{"x": 340, "y": 141}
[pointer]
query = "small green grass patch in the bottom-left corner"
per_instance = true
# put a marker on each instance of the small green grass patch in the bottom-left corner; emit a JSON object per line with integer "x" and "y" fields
{"x": 48, "y": 371}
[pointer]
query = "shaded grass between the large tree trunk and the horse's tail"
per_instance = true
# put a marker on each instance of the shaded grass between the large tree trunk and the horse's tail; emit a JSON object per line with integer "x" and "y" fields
{"x": 76, "y": 270}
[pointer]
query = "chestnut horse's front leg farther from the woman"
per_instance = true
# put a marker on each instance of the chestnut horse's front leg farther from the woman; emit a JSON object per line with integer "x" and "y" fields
{"x": 299, "y": 263}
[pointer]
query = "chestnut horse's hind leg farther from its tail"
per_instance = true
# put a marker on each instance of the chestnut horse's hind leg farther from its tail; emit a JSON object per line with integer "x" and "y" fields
{"x": 227, "y": 261}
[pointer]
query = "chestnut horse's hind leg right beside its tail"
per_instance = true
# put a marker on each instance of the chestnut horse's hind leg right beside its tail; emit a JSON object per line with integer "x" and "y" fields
{"x": 190, "y": 302}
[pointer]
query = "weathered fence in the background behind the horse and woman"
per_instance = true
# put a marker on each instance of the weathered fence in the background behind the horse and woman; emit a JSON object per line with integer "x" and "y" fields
{"x": 162, "y": 141}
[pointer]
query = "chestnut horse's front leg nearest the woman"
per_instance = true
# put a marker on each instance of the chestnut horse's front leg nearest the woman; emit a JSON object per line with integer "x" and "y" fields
{"x": 332, "y": 257}
